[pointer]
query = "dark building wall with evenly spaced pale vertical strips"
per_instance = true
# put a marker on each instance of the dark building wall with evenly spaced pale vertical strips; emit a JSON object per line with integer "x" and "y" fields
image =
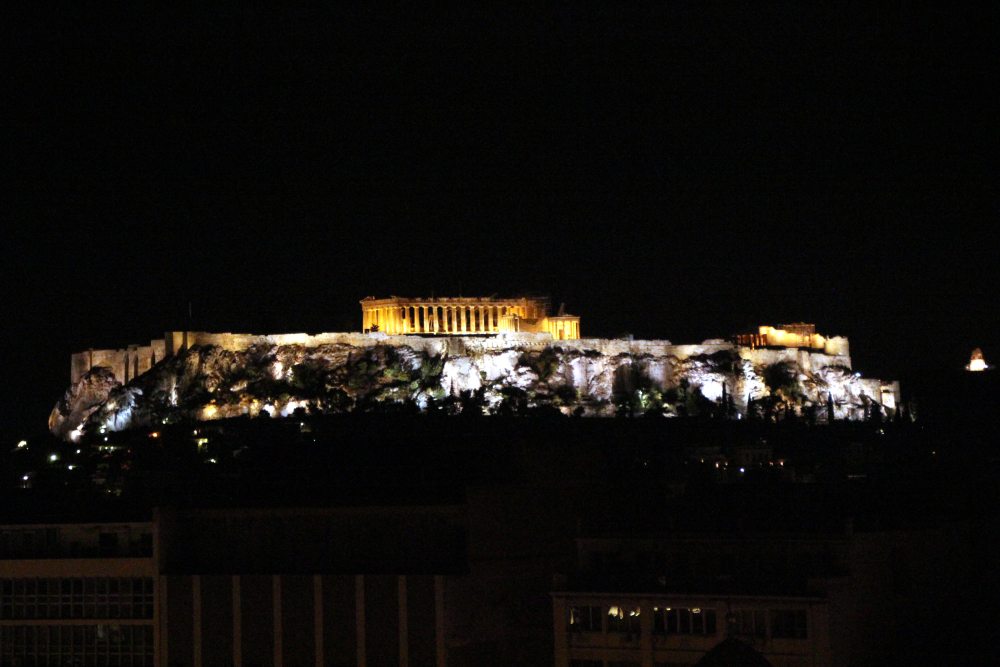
{"x": 291, "y": 620}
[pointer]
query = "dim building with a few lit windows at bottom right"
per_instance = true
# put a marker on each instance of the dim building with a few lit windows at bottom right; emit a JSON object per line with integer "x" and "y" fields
{"x": 799, "y": 600}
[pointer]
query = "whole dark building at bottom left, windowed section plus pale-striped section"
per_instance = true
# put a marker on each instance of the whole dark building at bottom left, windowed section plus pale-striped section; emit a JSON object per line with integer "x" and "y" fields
{"x": 278, "y": 587}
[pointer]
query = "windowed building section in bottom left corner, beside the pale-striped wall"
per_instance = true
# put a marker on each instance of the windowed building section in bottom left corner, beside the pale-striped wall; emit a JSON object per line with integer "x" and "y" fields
{"x": 71, "y": 593}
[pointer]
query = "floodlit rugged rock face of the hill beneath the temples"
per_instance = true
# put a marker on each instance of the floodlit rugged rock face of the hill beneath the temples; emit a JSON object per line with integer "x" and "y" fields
{"x": 506, "y": 374}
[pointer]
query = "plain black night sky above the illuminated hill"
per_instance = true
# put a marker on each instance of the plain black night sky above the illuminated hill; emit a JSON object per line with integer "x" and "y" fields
{"x": 673, "y": 170}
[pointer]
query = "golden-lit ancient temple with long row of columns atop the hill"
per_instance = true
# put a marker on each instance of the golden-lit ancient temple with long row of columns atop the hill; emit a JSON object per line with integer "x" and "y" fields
{"x": 465, "y": 315}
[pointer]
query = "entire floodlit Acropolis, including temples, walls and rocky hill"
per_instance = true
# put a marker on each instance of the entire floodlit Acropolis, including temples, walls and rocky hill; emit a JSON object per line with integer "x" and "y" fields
{"x": 422, "y": 350}
